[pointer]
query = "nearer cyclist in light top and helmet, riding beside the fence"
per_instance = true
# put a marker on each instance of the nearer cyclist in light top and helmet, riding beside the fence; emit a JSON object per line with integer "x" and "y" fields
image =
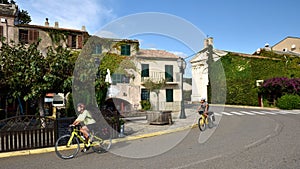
{"x": 88, "y": 121}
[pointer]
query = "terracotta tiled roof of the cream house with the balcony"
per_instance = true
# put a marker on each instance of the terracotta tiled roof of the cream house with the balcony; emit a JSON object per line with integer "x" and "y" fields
{"x": 156, "y": 54}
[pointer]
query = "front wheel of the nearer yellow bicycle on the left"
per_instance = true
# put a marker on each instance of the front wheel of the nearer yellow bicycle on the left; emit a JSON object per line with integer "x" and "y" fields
{"x": 66, "y": 152}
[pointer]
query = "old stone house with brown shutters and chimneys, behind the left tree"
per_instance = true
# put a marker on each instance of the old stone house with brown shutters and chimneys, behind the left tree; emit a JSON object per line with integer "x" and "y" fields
{"x": 47, "y": 35}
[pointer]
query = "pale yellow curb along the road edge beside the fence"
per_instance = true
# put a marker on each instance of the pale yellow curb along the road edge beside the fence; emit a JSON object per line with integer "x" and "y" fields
{"x": 117, "y": 140}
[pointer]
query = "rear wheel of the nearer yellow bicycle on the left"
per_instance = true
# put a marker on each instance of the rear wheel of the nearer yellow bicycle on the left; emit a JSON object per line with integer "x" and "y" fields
{"x": 101, "y": 143}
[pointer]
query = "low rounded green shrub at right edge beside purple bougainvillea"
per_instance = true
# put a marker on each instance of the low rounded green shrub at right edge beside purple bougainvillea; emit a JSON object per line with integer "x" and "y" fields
{"x": 289, "y": 101}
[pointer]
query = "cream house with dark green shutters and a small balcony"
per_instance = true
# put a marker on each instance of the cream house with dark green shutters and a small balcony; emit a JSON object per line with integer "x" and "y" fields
{"x": 154, "y": 65}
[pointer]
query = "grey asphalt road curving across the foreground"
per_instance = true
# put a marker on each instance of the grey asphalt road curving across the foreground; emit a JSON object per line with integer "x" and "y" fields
{"x": 238, "y": 141}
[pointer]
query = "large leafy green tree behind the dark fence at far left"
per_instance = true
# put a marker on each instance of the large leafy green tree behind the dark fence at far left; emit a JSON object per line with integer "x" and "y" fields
{"x": 28, "y": 74}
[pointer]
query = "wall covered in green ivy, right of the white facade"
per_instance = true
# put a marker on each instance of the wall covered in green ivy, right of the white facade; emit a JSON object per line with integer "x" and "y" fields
{"x": 242, "y": 71}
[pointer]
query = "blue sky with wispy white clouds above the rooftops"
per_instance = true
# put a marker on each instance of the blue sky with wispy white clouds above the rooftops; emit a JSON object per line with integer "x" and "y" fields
{"x": 236, "y": 25}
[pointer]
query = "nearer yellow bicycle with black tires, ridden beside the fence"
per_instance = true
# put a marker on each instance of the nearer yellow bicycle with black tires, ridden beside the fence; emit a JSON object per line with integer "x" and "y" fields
{"x": 68, "y": 146}
